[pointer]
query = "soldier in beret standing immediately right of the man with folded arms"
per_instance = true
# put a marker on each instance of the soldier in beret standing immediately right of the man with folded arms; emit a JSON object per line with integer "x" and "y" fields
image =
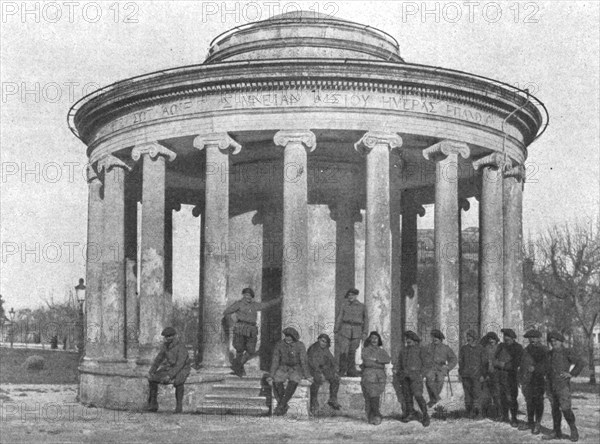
{"x": 413, "y": 363}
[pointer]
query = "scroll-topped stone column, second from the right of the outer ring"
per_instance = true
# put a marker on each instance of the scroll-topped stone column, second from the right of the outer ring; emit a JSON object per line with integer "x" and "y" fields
{"x": 491, "y": 240}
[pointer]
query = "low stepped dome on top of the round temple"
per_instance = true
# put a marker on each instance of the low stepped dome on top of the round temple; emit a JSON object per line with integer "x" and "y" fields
{"x": 303, "y": 34}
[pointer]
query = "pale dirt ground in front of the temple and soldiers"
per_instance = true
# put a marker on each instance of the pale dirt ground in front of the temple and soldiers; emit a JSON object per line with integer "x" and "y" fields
{"x": 50, "y": 413}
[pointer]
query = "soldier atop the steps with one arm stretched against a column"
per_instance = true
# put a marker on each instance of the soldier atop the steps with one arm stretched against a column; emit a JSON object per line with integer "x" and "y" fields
{"x": 245, "y": 331}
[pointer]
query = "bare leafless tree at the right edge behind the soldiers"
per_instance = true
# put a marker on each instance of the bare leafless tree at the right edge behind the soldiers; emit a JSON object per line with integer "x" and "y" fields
{"x": 566, "y": 266}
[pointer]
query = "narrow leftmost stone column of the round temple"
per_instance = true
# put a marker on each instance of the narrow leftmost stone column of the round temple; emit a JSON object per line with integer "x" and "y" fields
{"x": 93, "y": 300}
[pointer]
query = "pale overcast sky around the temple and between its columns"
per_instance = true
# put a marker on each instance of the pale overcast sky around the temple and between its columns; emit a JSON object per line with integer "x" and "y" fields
{"x": 55, "y": 52}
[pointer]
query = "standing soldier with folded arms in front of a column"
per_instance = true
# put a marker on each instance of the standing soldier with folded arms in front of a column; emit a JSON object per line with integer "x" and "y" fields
{"x": 374, "y": 359}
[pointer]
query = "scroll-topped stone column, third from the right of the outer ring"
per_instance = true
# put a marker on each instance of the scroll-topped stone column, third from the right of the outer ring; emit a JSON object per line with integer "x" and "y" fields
{"x": 445, "y": 306}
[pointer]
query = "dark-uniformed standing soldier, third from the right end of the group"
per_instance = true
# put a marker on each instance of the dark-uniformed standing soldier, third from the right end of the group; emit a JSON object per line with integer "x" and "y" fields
{"x": 507, "y": 361}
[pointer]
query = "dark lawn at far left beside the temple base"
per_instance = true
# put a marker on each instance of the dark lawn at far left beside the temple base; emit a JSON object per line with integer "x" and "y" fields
{"x": 59, "y": 368}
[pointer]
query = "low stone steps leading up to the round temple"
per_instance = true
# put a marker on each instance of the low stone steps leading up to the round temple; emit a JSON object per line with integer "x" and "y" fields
{"x": 237, "y": 396}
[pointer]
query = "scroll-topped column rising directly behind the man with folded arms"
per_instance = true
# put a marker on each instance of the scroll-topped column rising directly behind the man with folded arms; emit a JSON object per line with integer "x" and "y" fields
{"x": 376, "y": 146}
